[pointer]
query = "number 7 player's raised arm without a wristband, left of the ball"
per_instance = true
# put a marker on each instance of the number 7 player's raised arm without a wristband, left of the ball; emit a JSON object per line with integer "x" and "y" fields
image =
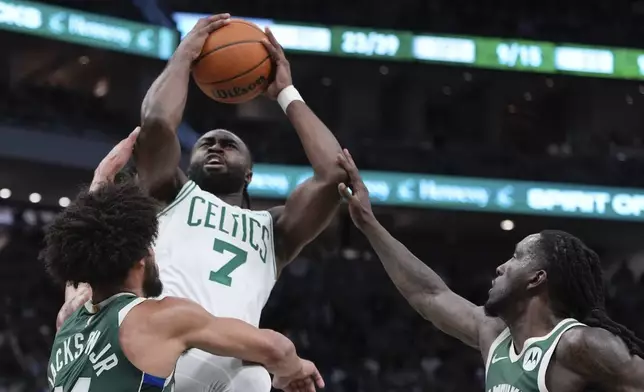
{"x": 158, "y": 151}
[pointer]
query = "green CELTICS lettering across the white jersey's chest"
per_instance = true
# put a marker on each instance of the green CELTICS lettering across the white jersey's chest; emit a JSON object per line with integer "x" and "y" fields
{"x": 241, "y": 226}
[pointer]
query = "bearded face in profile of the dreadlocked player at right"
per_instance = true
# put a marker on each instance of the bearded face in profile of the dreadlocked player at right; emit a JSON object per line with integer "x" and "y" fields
{"x": 515, "y": 278}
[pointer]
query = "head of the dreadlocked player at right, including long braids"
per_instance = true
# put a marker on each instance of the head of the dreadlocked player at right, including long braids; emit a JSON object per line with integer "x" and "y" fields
{"x": 562, "y": 270}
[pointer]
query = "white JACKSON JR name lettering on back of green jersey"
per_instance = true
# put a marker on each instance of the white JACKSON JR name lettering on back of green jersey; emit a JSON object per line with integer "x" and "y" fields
{"x": 103, "y": 361}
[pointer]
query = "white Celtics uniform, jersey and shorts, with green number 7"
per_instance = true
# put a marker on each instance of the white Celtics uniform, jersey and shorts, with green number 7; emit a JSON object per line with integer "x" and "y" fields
{"x": 222, "y": 257}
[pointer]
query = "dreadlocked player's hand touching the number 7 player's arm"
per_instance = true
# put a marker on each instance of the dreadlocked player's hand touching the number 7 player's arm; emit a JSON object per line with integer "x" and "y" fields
{"x": 356, "y": 193}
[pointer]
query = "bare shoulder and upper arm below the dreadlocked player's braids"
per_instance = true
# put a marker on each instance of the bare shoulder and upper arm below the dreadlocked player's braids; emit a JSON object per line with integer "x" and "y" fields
{"x": 602, "y": 359}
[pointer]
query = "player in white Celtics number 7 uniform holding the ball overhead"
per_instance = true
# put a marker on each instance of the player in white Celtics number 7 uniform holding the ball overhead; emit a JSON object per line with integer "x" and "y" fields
{"x": 211, "y": 248}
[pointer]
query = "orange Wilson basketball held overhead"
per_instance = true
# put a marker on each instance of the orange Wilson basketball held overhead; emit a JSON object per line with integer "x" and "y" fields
{"x": 234, "y": 66}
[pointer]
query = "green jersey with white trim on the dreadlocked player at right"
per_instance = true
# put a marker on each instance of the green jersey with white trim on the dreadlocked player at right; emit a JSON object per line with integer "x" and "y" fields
{"x": 507, "y": 371}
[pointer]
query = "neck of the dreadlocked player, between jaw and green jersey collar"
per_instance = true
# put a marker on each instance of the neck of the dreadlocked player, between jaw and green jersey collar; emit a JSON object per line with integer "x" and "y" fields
{"x": 535, "y": 320}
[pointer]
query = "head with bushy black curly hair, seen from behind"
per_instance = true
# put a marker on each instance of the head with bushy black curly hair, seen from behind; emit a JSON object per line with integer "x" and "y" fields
{"x": 105, "y": 238}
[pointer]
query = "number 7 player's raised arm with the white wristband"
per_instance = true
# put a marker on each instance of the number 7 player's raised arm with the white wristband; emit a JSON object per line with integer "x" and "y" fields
{"x": 311, "y": 206}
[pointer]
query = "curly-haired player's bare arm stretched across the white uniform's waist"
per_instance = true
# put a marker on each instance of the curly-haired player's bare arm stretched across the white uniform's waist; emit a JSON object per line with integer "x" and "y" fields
{"x": 182, "y": 324}
